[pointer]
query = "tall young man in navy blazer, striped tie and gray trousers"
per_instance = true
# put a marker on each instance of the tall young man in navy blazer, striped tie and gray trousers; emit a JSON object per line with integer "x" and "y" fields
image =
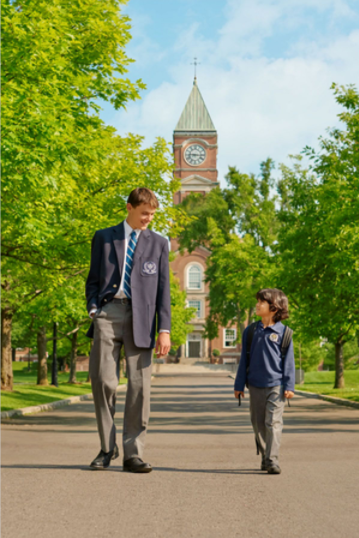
{"x": 127, "y": 287}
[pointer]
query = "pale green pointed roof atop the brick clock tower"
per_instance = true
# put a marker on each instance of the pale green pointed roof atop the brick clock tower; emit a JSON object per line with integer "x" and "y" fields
{"x": 195, "y": 116}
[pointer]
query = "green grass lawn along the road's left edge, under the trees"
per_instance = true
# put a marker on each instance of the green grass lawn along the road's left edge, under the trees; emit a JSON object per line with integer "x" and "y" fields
{"x": 26, "y": 393}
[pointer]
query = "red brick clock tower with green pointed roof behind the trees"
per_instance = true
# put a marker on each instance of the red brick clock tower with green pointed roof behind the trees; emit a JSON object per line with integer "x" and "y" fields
{"x": 195, "y": 152}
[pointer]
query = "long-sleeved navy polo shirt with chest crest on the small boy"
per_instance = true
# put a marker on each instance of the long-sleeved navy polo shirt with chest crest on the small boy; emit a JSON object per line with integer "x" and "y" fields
{"x": 266, "y": 368}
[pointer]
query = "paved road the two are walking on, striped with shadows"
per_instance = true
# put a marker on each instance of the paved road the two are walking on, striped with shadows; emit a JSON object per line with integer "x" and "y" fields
{"x": 206, "y": 481}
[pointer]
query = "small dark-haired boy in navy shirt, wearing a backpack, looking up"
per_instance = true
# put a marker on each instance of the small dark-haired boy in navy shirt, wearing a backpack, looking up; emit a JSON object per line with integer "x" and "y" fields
{"x": 270, "y": 379}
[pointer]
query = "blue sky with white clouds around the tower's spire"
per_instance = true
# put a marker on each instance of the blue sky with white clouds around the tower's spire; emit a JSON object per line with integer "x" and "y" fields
{"x": 265, "y": 70}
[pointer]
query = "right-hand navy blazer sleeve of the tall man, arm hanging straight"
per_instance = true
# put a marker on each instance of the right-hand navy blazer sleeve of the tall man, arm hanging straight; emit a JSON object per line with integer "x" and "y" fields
{"x": 163, "y": 302}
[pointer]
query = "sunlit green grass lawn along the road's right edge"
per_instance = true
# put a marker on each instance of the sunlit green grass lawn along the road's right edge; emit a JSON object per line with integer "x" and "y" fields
{"x": 323, "y": 382}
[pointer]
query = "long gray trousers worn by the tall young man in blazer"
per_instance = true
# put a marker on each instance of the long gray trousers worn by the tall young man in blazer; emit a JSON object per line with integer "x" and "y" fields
{"x": 112, "y": 330}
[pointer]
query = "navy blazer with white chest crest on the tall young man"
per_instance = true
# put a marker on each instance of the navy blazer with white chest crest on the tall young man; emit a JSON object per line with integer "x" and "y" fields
{"x": 150, "y": 284}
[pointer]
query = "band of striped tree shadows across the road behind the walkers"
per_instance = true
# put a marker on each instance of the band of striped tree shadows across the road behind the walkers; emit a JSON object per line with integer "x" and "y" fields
{"x": 194, "y": 409}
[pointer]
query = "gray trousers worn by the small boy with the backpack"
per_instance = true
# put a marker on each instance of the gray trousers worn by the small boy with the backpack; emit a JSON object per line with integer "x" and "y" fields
{"x": 266, "y": 408}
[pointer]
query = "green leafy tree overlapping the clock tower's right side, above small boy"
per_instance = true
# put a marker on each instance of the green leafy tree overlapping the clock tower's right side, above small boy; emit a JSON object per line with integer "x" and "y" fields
{"x": 238, "y": 225}
